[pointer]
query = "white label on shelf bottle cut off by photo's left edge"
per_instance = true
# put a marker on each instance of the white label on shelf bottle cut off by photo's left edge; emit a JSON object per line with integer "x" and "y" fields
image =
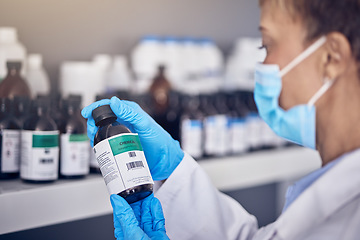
{"x": 10, "y": 151}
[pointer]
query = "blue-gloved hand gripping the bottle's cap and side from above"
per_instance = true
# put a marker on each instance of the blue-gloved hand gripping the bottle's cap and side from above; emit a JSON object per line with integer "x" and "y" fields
{"x": 162, "y": 152}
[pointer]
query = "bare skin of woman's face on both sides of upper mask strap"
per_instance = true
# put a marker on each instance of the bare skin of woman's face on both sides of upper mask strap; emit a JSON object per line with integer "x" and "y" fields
{"x": 284, "y": 39}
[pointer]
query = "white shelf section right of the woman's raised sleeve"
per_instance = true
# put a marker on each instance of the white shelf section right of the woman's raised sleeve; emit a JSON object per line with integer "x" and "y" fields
{"x": 258, "y": 168}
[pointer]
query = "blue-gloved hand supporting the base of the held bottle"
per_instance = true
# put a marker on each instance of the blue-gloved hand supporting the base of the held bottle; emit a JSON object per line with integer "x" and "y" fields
{"x": 142, "y": 220}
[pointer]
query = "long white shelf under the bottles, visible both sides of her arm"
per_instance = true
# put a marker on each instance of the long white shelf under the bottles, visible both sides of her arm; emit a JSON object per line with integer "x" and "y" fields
{"x": 26, "y": 206}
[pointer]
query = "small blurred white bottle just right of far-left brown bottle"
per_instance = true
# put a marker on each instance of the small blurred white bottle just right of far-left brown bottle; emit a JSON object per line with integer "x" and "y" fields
{"x": 36, "y": 76}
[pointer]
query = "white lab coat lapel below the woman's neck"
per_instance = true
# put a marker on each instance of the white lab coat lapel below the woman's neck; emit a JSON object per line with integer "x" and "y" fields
{"x": 328, "y": 194}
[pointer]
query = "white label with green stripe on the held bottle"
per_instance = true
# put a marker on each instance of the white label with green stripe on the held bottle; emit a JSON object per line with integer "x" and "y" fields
{"x": 122, "y": 162}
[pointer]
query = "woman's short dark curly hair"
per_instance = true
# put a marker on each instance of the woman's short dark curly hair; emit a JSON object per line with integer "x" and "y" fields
{"x": 322, "y": 17}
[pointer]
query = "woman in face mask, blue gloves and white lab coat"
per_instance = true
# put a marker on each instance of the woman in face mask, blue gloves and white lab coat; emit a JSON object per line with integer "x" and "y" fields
{"x": 308, "y": 91}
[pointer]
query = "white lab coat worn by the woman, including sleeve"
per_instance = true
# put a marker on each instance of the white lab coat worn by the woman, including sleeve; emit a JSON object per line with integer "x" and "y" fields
{"x": 328, "y": 209}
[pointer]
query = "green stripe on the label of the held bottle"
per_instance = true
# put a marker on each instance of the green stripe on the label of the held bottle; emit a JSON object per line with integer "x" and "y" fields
{"x": 125, "y": 143}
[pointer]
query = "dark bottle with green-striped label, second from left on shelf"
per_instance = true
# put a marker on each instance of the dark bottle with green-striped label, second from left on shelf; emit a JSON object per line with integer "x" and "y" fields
{"x": 39, "y": 145}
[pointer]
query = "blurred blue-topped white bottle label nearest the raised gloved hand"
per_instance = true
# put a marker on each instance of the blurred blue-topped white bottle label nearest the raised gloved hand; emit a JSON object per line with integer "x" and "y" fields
{"x": 191, "y": 137}
